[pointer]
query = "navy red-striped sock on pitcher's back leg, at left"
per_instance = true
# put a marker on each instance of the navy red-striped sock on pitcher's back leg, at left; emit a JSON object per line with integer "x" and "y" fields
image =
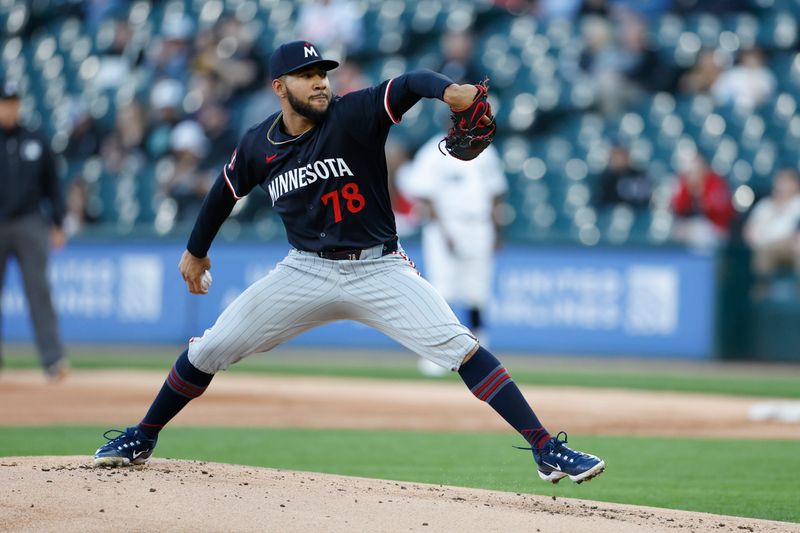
{"x": 184, "y": 383}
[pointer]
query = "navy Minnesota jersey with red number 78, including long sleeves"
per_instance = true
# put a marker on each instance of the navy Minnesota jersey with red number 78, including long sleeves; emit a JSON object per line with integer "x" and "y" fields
{"x": 329, "y": 185}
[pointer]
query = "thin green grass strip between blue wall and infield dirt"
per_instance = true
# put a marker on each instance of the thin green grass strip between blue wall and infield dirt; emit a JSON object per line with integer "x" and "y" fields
{"x": 761, "y": 381}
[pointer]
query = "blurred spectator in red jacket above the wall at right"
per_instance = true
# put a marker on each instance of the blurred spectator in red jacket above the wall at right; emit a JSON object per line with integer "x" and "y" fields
{"x": 702, "y": 205}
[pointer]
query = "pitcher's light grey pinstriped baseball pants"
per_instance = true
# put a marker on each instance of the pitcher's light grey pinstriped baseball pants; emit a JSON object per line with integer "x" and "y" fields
{"x": 305, "y": 291}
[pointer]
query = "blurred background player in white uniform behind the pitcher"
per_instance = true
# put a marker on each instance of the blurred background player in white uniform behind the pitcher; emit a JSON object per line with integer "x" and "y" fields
{"x": 459, "y": 200}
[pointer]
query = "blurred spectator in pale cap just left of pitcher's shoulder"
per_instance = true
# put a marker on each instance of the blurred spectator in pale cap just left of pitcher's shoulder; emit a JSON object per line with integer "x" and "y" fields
{"x": 188, "y": 183}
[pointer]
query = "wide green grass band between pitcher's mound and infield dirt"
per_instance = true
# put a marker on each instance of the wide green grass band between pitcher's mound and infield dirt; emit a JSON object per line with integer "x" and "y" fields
{"x": 709, "y": 475}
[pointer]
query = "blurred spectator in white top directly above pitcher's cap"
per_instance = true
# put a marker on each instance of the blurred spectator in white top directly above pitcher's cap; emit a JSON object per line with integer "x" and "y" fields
{"x": 332, "y": 24}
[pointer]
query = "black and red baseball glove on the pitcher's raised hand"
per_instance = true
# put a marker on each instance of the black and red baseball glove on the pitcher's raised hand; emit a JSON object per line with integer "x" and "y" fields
{"x": 469, "y": 135}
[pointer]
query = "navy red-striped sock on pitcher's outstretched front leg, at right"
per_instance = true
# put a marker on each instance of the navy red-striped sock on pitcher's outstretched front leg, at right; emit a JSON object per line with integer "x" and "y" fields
{"x": 490, "y": 382}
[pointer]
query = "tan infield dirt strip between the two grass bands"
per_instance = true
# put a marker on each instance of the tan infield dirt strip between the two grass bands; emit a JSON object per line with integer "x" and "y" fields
{"x": 246, "y": 400}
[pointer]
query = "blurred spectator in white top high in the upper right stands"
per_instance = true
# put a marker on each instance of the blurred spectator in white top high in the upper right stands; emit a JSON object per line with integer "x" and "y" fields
{"x": 746, "y": 85}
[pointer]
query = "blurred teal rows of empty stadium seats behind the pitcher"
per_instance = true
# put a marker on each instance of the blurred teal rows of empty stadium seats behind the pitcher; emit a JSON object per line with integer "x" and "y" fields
{"x": 552, "y": 145}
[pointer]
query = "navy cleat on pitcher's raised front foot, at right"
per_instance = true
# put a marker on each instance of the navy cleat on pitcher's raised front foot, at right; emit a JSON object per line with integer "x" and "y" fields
{"x": 556, "y": 461}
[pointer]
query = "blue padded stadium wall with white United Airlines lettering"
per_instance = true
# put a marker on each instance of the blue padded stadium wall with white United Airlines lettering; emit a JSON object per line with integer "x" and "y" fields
{"x": 548, "y": 299}
